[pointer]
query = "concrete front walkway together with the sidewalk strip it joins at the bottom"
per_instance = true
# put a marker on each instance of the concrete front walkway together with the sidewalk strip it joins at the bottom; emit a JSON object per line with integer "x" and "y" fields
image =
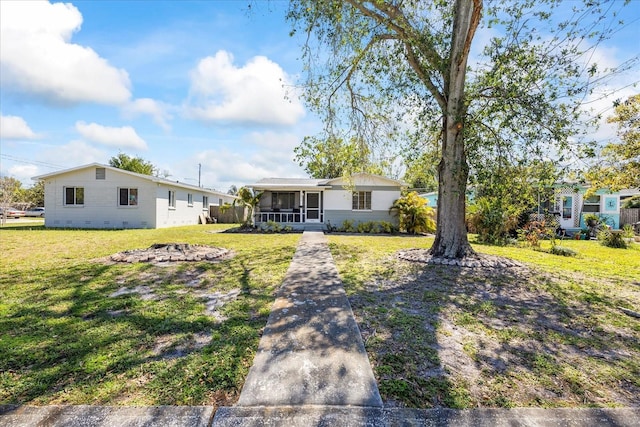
{"x": 311, "y": 369}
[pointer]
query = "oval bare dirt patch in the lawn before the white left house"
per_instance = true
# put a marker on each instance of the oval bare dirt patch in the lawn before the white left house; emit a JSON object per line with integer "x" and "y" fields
{"x": 162, "y": 253}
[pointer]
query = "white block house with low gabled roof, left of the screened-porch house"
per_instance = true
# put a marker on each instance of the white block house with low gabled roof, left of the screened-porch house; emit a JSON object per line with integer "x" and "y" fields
{"x": 100, "y": 196}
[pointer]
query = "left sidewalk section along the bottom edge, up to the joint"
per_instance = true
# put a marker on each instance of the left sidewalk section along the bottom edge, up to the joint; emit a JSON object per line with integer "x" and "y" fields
{"x": 105, "y": 416}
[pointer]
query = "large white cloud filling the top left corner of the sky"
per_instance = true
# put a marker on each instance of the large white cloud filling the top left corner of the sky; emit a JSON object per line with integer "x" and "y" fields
{"x": 38, "y": 57}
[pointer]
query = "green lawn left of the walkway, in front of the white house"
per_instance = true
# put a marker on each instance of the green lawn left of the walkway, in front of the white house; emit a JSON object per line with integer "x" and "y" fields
{"x": 65, "y": 340}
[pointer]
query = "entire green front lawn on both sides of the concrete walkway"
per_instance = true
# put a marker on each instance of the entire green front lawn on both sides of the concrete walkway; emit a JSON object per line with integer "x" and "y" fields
{"x": 552, "y": 336}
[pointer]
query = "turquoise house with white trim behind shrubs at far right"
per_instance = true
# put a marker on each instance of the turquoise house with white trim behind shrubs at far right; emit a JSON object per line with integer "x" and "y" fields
{"x": 569, "y": 201}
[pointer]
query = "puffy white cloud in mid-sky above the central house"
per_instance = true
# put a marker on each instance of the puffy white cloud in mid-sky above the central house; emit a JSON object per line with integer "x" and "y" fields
{"x": 221, "y": 91}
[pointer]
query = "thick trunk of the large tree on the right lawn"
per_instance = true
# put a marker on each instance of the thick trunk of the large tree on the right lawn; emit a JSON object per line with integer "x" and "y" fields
{"x": 453, "y": 171}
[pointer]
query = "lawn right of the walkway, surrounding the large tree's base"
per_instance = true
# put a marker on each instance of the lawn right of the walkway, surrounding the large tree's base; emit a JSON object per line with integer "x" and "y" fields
{"x": 552, "y": 334}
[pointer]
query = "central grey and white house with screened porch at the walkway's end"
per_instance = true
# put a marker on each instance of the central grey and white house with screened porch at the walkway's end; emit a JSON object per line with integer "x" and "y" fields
{"x": 300, "y": 202}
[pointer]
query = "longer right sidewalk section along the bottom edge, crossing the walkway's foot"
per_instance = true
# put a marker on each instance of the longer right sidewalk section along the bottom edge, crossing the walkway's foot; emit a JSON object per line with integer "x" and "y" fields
{"x": 302, "y": 416}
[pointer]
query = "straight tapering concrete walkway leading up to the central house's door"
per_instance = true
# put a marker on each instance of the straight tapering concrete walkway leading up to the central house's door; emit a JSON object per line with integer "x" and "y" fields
{"x": 311, "y": 351}
